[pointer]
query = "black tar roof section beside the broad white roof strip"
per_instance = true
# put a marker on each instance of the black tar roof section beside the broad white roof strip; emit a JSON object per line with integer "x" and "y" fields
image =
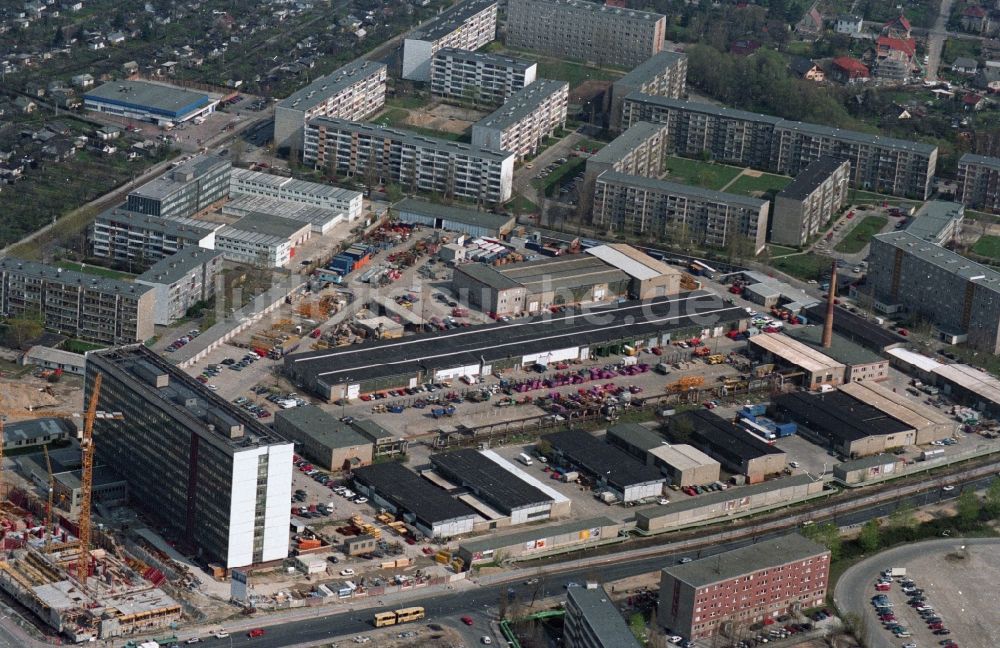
{"x": 488, "y": 479}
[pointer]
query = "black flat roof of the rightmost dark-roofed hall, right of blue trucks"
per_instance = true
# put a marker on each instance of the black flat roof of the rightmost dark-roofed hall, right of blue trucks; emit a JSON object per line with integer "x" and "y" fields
{"x": 839, "y": 416}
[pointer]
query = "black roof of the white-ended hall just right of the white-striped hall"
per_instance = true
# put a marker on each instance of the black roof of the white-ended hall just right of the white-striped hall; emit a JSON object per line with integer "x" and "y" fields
{"x": 602, "y": 459}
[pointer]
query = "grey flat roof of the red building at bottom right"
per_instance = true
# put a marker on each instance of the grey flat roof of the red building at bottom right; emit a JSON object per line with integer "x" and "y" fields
{"x": 746, "y": 560}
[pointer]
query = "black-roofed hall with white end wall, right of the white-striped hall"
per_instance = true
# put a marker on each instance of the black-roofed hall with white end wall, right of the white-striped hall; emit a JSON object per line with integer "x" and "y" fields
{"x": 611, "y": 469}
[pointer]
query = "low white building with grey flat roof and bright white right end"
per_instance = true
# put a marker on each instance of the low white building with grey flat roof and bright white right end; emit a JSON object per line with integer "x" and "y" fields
{"x": 262, "y": 240}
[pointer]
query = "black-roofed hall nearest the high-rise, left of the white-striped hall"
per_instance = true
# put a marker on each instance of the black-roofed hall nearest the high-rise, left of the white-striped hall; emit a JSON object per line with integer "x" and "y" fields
{"x": 418, "y": 502}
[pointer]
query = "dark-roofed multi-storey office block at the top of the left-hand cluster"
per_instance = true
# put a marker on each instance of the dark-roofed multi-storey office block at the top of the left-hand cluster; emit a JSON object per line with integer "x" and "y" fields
{"x": 187, "y": 189}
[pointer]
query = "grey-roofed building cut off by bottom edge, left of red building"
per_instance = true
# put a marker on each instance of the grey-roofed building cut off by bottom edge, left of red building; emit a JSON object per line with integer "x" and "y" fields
{"x": 593, "y": 621}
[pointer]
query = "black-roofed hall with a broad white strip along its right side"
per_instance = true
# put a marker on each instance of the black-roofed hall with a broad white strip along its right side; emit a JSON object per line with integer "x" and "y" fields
{"x": 500, "y": 491}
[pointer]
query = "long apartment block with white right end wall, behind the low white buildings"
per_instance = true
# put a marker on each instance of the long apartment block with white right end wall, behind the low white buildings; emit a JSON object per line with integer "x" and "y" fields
{"x": 415, "y": 162}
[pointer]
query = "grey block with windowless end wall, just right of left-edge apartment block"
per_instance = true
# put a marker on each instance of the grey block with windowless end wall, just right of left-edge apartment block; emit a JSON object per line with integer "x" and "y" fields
{"x": 180, "y": 281}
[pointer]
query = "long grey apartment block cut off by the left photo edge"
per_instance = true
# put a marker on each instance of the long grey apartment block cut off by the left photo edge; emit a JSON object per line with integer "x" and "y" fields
{"x": 87, "y": 307}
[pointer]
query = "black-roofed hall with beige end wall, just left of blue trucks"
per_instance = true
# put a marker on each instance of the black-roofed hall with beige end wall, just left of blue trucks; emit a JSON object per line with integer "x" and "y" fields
{"x": 737, "y": 450}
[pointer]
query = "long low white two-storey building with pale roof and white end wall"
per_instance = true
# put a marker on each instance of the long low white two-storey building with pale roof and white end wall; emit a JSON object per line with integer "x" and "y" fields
{"x": 302, "y": 192}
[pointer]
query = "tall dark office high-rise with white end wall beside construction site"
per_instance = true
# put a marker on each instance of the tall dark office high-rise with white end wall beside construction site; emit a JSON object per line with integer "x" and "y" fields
{"x": 200, "y": 466}
